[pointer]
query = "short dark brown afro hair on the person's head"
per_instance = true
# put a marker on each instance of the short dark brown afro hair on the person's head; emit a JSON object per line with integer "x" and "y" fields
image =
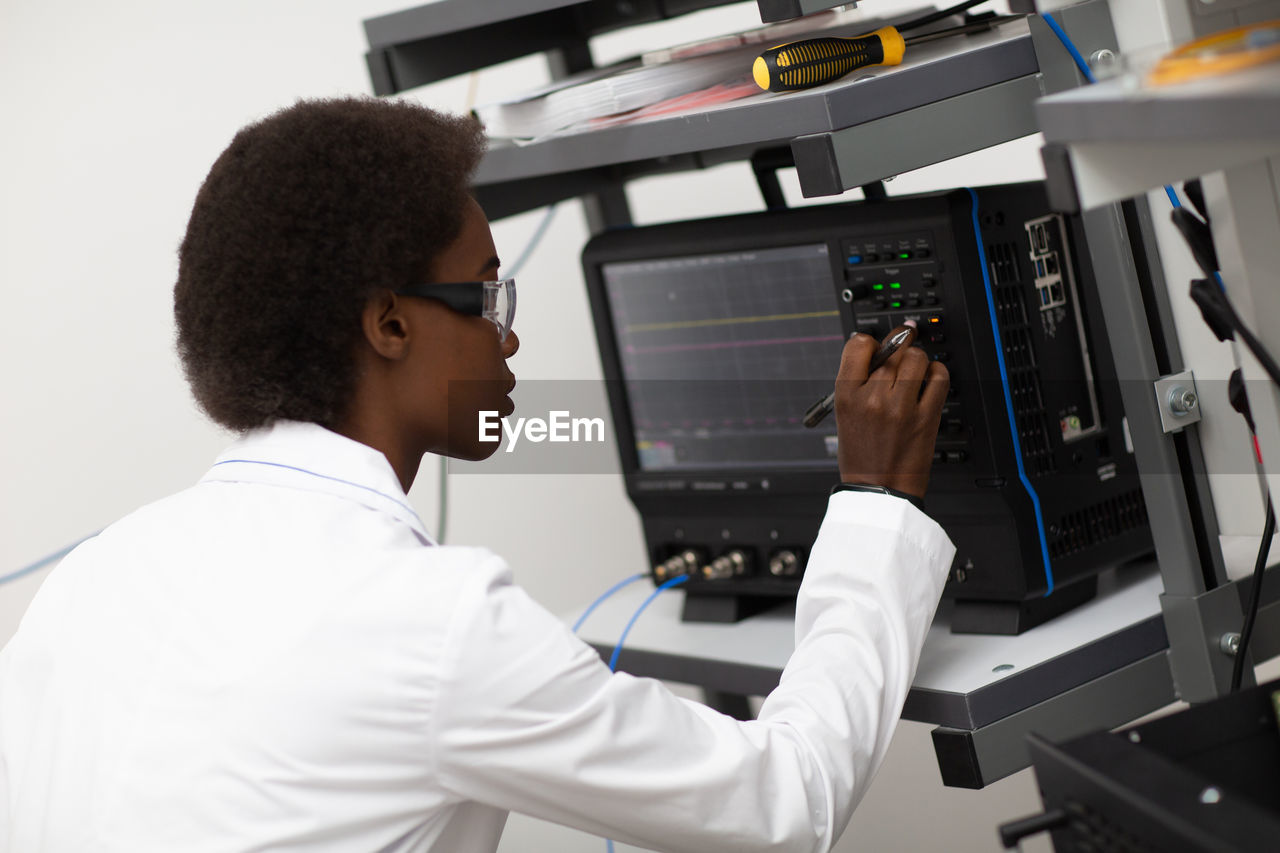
{"x": 304, "y": 217}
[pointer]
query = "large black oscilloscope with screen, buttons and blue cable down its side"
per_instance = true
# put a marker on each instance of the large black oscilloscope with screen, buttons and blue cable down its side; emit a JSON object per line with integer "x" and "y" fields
{"x": 717, "y": 335}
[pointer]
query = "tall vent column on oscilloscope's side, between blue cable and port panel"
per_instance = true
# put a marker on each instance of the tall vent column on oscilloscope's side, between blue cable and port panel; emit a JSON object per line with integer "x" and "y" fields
{"x": 1021, "y": 364}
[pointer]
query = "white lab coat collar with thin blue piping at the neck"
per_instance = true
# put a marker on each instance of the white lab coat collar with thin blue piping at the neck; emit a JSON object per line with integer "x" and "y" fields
{"x": 309, "y": 457}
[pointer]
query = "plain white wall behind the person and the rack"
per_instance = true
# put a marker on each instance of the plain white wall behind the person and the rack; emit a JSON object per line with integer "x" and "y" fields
{"x": 112, "y": 115}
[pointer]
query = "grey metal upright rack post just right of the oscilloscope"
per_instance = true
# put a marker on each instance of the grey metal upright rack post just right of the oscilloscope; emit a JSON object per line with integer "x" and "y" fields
{"x": 1197, "y": 605}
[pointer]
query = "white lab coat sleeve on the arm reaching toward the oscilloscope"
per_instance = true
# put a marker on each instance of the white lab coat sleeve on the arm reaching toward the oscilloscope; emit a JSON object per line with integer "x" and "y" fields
{"x": 529, "y": 718}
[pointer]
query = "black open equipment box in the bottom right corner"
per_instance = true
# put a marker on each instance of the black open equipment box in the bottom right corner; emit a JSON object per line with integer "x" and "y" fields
{"x": 1204, "y": 779}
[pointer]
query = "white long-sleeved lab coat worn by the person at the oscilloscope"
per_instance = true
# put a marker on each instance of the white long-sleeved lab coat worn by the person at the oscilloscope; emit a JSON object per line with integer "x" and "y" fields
{"x": 280, "y": 659}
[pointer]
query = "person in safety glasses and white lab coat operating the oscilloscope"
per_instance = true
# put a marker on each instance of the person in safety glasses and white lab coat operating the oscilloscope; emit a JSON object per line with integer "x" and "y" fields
{"x": 282, "y": 659}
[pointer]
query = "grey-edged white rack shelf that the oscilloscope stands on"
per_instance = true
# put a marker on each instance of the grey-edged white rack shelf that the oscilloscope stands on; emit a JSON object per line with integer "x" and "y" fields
{"x": 1095, "y": 668}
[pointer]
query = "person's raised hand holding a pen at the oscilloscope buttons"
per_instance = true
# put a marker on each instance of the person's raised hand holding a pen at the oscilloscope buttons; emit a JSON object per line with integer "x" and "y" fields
{"x": 888, "y": 423}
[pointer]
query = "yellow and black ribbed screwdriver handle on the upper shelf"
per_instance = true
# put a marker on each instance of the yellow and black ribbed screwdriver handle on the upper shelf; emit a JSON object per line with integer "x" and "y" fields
{"x": 815, "y": 62}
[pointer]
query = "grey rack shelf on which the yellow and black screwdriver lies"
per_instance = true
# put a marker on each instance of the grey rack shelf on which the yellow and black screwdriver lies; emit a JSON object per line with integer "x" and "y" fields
{"x": 886, "y": 121}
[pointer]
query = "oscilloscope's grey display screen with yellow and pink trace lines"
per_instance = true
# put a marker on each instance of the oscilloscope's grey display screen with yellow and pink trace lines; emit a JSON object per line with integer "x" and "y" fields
{"x": 721, "y": 355}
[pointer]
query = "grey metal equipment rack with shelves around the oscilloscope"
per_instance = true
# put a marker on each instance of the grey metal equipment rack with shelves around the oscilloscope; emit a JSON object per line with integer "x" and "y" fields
{"x": 984, "y": 90}
